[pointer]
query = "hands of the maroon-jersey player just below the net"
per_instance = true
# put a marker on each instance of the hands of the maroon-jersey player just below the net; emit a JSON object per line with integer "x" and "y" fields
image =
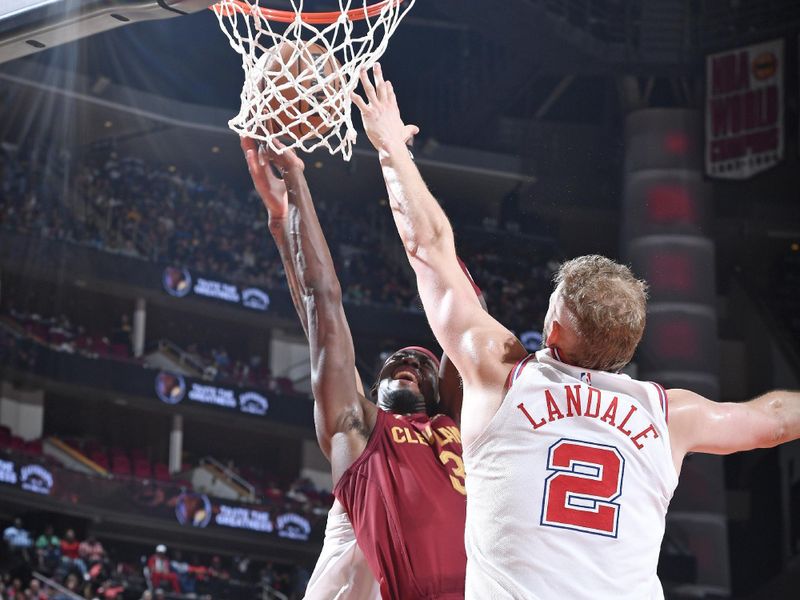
{"x": 269, "y": 186}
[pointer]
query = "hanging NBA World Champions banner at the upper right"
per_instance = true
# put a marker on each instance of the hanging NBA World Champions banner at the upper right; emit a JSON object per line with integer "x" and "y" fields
{"x": 744, "y": 110}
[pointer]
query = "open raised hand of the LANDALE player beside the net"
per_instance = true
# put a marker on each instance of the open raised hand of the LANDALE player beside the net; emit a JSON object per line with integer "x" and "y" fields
{"x": 380, "y": 113}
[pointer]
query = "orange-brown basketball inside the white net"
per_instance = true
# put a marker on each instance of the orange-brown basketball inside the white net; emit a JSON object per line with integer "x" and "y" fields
{"x": 302, "y": 79}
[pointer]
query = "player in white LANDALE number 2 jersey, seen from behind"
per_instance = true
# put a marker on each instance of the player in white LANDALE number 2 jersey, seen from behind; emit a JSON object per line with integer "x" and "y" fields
{"x": 570, "y": 466}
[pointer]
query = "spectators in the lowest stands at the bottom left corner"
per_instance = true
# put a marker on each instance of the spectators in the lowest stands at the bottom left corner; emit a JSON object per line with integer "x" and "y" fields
{"x": 43, "y": 567}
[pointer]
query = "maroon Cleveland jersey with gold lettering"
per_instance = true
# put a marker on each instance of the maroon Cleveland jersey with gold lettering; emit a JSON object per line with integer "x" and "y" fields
{"x": 406, "y": 499}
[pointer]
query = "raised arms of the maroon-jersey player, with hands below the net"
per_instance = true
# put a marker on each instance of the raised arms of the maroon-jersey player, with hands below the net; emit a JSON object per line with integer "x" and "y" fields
{"x": 316, "y": 293}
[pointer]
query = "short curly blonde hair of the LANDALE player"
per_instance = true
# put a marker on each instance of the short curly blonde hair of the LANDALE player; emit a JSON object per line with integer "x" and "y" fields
{"x": 608, "y": 309}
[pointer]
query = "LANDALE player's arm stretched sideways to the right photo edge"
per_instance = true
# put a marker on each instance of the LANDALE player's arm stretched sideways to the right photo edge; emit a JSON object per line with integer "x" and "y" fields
{"x": 700, "y": 425}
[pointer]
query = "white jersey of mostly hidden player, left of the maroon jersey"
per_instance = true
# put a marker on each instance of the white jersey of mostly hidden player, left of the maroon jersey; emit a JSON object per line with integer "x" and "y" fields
{"x": 341, "y": 572}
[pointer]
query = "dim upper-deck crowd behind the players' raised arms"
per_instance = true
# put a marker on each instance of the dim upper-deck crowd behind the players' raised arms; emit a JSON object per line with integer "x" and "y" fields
{"x": 155, "y": 212}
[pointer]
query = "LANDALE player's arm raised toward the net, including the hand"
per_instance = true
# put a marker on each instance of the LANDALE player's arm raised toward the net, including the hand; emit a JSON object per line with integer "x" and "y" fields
{"x": 481, "y": 348}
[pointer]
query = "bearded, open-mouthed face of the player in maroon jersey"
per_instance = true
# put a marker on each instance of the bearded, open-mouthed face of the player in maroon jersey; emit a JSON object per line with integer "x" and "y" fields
{"x": 408, "y": 383}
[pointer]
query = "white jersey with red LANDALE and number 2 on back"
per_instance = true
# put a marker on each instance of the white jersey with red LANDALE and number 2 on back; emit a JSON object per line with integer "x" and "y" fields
{"x": 568, "y": 487}
